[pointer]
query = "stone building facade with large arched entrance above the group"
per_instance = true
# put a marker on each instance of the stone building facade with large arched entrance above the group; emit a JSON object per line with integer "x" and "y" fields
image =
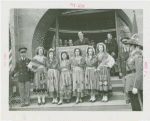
{"x": 32, "y": 27}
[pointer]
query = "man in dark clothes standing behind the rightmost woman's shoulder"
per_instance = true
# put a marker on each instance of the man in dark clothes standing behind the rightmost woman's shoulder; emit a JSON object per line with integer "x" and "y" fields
{"x": 112, "y": 49}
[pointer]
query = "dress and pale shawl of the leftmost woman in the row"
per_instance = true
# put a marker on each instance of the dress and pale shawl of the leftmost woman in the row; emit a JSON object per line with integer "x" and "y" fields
{"x": 40, "y": 74}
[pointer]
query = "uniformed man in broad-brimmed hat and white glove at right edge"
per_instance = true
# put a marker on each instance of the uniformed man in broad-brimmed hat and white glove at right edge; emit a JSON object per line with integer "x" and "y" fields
{"x": 134, "y": 78}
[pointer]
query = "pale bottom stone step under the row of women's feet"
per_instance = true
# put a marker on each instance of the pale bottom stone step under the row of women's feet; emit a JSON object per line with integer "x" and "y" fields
{"x": 112, "y": 105}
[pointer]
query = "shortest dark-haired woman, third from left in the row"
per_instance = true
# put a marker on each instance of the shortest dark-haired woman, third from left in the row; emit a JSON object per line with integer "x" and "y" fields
{"x": 65, "y": 84}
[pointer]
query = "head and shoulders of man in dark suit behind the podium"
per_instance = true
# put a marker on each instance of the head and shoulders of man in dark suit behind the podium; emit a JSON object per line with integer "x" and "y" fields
{"x": 82, "y": 40}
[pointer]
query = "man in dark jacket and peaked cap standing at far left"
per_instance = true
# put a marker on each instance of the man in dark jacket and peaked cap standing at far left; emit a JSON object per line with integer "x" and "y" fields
{"x": 24, "y": 78}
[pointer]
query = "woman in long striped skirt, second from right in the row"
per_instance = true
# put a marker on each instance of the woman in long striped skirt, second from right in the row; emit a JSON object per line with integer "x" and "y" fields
{"x": 90, "y": 73}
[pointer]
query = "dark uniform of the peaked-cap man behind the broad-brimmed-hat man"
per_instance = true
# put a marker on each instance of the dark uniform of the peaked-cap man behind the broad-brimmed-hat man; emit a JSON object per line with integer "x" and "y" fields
{"x": 122, "y": 59}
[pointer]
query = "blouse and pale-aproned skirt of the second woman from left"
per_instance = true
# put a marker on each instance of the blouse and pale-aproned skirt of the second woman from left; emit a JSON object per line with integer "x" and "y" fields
{"x": 53, "y": 77}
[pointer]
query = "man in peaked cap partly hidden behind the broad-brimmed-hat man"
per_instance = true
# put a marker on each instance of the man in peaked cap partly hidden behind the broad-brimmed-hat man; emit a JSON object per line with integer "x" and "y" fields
{"x": 122, "y": 59}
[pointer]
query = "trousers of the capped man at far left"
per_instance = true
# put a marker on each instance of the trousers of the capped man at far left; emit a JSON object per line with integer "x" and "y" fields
{"x": 24, "y": 90}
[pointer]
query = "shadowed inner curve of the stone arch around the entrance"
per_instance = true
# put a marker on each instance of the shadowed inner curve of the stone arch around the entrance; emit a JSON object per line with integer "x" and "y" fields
{"x": 49, "y": 18}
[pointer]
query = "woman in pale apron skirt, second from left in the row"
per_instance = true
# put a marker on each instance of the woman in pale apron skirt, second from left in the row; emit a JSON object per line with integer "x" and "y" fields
{"x": 52, "y": 66}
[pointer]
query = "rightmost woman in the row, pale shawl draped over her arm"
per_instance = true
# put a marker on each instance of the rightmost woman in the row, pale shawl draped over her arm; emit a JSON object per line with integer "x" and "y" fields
{"x": 105, "y": 62}
